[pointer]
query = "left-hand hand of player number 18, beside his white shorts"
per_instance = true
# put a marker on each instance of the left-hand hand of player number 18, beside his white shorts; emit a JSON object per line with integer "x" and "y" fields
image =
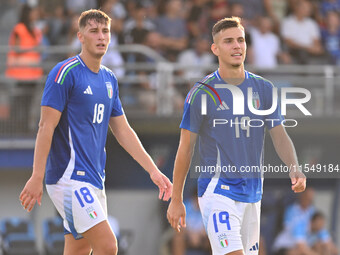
{"x": 31, "y": 193}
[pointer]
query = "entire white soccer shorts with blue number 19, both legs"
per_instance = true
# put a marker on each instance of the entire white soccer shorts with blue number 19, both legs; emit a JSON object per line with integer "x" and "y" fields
{"x": 231, "y": 225}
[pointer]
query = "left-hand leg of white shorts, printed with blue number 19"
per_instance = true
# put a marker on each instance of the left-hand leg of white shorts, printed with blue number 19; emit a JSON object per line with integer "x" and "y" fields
{"x": 222, "y": 217}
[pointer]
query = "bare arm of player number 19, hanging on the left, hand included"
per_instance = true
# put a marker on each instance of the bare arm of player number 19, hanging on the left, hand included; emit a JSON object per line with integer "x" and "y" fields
{"x": 176, "y": 210}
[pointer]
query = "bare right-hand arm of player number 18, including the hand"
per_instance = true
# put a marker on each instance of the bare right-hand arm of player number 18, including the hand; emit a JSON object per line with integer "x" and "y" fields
{"x": 129, "y": 140}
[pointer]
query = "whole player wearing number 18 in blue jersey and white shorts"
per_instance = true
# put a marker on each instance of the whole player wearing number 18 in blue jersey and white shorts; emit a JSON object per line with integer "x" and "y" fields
{"x": 79, "y": 102}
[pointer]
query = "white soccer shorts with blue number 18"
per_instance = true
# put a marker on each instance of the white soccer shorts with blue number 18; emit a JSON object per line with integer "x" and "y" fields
{"x": 80, "y": 204}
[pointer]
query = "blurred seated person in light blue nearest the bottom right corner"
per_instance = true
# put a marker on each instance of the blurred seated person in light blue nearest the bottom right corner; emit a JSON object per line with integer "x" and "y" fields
{"x": 318, "y": 237}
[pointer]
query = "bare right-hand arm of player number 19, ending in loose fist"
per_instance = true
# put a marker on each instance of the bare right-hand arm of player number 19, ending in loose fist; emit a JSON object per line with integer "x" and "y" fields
{"x": 285, "y": 149}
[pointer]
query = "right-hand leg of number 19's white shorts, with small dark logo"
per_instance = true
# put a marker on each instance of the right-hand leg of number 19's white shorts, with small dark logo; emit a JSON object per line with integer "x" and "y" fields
{"x": 250, "y": 230}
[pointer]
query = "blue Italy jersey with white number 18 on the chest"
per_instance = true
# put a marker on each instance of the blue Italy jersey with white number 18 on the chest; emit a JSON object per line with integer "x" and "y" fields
{"x": 86, "y": 100}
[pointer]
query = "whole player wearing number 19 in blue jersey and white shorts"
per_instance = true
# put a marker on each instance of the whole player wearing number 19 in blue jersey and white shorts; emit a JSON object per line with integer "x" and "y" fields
{"x": 229, "y": 194}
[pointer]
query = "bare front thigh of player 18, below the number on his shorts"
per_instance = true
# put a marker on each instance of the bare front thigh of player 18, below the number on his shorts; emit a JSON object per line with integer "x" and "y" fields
{"x": 101, "y": 238}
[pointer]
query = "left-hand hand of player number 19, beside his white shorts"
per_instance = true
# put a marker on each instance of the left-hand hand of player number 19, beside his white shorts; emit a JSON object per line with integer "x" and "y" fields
{"x": 176, "y": 215}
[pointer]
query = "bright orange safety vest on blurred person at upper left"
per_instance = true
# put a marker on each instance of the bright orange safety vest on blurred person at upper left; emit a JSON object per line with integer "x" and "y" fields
{"x": 24, "y": 65}
